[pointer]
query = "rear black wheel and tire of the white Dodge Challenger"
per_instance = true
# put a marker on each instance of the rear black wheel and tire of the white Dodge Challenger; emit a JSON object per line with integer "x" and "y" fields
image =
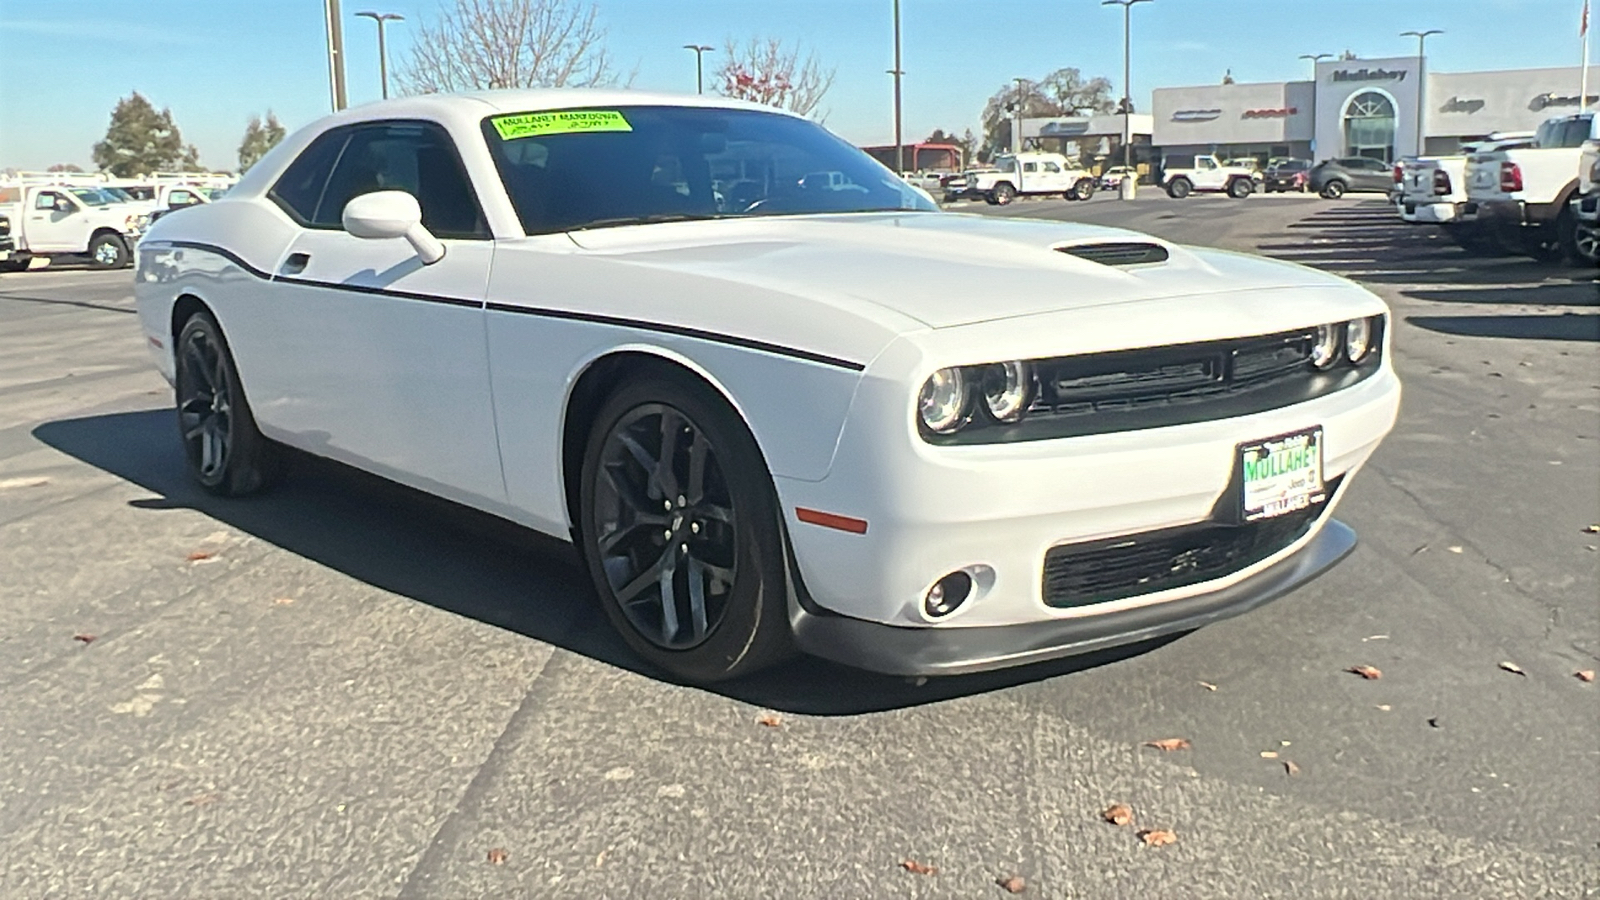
{"x": 226, "y": 452}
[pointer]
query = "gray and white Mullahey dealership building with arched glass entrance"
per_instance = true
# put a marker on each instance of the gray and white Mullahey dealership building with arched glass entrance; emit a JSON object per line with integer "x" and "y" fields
{"x": 1359, "y": 108}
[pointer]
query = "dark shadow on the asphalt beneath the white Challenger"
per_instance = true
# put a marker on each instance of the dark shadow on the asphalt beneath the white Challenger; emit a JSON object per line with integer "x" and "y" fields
{"x": 478, "y": 566}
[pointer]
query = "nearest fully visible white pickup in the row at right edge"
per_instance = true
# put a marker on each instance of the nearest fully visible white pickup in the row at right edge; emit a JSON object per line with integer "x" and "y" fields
{"x": 1522, "y": 196}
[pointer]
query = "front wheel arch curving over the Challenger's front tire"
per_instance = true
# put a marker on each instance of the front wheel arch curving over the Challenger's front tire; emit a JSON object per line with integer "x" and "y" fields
{"x": 588, "y": 390}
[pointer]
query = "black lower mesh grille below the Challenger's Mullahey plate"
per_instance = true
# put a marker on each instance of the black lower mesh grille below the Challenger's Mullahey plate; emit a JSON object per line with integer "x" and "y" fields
{"x": 1079, "y": 576}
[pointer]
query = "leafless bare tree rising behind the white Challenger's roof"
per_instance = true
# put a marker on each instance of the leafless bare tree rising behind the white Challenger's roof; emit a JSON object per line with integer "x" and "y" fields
{"x": 510, "y": 44}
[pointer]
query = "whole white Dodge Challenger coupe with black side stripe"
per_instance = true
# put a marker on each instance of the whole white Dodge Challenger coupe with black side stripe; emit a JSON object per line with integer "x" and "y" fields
{"x": 775, "y": 396}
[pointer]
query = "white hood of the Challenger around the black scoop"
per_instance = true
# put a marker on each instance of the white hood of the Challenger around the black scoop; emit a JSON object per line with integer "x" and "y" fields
{"x": 937, "y": 270}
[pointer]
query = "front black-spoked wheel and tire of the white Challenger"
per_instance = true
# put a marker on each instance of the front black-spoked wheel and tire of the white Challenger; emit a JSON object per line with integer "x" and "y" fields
{"x": 681, "y": 531}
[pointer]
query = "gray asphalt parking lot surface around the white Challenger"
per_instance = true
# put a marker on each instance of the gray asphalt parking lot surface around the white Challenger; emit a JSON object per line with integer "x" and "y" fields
{"x": 345, "y": 689}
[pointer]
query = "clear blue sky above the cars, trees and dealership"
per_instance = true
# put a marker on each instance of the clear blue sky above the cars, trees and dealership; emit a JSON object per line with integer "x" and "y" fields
{"x": 215, "y": 63}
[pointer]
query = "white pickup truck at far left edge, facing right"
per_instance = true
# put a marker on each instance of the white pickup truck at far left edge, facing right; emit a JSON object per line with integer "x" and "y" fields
{"x": 70, "y": 220}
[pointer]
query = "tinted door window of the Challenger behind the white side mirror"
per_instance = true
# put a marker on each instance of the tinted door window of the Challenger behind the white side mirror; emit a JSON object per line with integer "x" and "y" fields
{"x": 406, "y": 156}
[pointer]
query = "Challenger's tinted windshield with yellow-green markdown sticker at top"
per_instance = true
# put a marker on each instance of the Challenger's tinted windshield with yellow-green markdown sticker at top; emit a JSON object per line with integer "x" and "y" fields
{"x": 628, "y": 166}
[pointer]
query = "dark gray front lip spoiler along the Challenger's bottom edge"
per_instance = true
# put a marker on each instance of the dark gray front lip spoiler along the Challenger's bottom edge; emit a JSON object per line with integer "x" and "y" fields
{"x": 958, "y": 651}
